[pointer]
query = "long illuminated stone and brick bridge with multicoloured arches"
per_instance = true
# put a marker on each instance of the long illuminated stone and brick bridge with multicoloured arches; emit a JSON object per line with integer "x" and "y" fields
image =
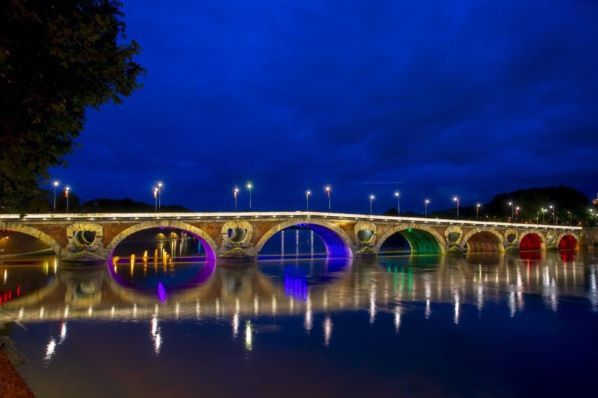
{"x": 94, "y": 237}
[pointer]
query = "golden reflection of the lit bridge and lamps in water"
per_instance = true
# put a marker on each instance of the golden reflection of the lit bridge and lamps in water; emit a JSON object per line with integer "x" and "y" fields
{"x": 154, "y": 291}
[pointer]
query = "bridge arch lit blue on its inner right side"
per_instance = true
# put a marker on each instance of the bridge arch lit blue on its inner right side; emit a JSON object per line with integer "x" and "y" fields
{"x": 336, "y": 241}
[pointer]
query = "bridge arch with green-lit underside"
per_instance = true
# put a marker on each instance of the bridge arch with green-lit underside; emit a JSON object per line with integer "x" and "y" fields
{"x": 421, "y": 239}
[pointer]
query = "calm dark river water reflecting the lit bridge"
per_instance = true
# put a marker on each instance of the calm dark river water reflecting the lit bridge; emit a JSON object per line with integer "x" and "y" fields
{"x": 485, "y": 326}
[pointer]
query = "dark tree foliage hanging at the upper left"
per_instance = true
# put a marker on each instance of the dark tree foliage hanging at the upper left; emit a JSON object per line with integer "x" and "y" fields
{"x": 57, "y": 59}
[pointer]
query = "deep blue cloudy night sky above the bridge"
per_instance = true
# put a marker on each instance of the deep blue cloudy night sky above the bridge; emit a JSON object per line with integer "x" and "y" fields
{"x": 433, "y": 98}
